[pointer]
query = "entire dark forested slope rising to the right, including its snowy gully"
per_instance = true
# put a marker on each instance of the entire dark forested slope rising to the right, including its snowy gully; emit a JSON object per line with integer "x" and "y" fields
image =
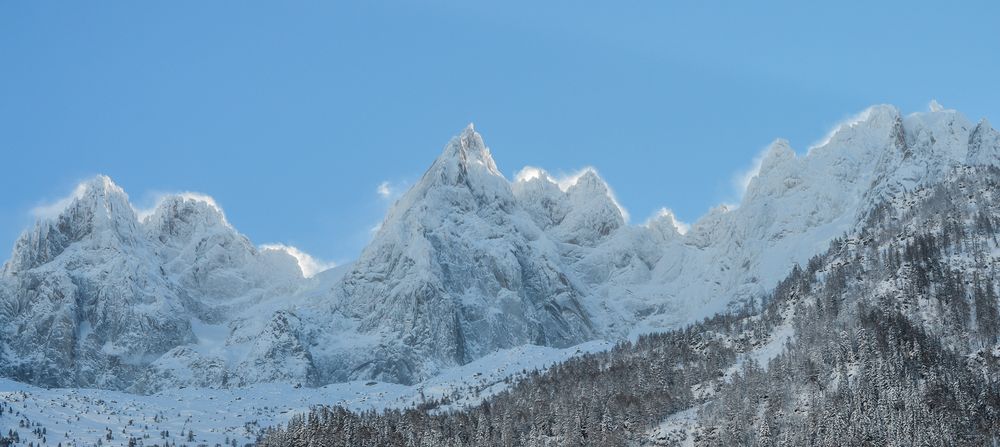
{"x": 889, "y": 337}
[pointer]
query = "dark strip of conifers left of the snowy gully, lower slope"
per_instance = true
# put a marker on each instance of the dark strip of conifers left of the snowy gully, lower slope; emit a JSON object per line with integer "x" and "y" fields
{"x": 607, "y": 398}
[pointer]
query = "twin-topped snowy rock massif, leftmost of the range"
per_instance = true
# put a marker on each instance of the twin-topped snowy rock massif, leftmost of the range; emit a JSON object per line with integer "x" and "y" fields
{"x": 94, "y": 296}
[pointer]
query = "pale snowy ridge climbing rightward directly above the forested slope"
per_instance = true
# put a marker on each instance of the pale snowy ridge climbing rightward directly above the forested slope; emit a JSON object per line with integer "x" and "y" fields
{"x": 792, "y": 207}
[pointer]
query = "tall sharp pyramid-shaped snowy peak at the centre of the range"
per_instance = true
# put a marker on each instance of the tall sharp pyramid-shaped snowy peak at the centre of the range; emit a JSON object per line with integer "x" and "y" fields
{"x": 458, "y": 270}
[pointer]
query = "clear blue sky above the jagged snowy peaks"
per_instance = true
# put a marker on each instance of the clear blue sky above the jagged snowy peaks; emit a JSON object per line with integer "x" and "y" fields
{"x": 291, "y": 114}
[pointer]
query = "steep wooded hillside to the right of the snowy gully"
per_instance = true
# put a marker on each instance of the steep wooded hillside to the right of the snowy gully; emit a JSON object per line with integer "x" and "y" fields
{"x": 895, "y": 336}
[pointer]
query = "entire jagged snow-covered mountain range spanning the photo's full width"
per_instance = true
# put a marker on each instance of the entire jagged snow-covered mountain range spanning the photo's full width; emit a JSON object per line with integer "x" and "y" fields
{"x": 465, "y": 263}
